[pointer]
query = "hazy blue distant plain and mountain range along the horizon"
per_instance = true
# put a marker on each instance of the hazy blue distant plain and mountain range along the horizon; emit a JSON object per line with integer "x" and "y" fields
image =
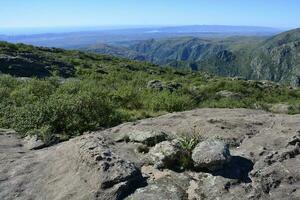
{"x": 75, "y": 39}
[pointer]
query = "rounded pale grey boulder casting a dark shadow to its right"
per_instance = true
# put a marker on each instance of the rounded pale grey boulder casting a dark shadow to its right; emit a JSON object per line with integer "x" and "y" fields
{"x": 211, "y": 155}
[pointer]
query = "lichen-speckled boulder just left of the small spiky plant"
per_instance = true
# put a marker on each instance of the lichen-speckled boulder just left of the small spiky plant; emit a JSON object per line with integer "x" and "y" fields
{"x": 165, "y": 154}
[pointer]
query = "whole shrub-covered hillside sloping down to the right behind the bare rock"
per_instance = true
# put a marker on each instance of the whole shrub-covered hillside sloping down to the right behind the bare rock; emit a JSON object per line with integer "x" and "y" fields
{"x": 69, "y": 92}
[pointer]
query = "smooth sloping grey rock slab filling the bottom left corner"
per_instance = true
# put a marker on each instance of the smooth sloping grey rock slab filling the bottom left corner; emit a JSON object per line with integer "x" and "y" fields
{"x": 82, "y": 168}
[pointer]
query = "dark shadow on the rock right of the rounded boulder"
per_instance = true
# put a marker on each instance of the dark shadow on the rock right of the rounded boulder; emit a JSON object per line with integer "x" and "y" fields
{"x": 237, "y": 168}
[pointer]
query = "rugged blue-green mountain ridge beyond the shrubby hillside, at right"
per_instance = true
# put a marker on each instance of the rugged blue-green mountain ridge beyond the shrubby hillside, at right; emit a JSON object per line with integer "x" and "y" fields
{"x": 275, "y": 58}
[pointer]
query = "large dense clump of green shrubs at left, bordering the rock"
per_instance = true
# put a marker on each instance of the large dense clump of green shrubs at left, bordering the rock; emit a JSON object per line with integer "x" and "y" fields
{"x": 69, "y": 110}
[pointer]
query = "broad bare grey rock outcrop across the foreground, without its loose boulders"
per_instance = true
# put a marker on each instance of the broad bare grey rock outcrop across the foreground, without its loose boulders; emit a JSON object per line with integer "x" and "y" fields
{"x": 264, "y": 161}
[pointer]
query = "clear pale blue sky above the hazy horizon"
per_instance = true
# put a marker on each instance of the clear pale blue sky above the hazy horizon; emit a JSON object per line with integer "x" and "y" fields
{"x": 52, "y": 13}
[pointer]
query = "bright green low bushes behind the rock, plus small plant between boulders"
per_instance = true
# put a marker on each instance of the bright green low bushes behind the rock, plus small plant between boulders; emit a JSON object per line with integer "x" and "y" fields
{"x": 70, "y": 107}
